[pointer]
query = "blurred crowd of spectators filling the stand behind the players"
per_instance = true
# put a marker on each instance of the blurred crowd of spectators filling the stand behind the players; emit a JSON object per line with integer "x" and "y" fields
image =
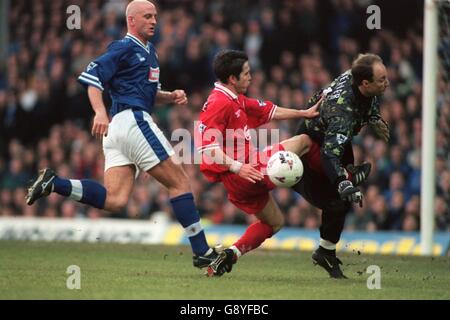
{"x": 295, "y": 47}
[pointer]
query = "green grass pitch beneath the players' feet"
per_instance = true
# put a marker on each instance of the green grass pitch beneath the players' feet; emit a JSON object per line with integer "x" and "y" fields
{"x": 37, "y": 270}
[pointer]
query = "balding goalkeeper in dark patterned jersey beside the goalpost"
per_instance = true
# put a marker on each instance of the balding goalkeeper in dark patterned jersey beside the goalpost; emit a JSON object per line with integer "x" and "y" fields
{"x": 352, "y": 101}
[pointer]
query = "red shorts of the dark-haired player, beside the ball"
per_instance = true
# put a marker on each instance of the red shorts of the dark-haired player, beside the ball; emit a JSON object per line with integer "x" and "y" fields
{"x": 247, "y": 196}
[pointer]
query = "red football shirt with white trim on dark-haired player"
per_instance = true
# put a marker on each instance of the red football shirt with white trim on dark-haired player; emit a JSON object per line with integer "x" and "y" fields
{"x": 225, "y": 122}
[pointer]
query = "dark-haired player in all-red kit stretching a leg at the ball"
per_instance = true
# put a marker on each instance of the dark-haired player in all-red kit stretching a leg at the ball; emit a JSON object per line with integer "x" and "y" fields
{"x": 228, "y": 156}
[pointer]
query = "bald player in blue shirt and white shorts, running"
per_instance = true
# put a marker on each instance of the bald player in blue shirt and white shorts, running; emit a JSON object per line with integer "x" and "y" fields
{"x": 131, "y": 141}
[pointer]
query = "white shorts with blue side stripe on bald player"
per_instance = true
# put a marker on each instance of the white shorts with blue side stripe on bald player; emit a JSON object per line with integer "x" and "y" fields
{"x": 133, "y": 138}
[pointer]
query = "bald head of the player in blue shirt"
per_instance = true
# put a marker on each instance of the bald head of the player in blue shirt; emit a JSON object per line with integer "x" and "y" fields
{"x": 141, "y": 19}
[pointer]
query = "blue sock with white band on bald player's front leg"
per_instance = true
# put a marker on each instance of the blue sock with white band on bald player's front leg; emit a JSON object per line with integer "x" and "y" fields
{"x": 187, "y": 214}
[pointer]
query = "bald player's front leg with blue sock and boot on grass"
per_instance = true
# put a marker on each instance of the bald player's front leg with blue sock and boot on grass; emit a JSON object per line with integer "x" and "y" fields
{"x": 174, "y": 178}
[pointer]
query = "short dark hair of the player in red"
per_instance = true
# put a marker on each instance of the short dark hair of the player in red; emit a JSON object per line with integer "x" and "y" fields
{"x": 229, "y": 63}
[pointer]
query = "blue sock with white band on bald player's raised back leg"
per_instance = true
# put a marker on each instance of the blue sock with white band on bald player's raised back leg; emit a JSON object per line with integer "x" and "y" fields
{"x": 85, "y": 191}
